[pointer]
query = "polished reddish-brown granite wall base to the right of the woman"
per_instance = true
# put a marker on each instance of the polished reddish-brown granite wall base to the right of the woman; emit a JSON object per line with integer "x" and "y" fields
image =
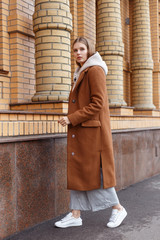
{"x": 137, "y": 155}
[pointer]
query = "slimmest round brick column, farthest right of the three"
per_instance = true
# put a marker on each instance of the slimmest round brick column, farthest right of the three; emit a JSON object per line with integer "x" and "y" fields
{"x": 142, "y": 63}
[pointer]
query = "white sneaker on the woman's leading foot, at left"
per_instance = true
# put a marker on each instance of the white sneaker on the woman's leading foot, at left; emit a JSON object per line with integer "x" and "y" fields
{"x": 69, "y": 221}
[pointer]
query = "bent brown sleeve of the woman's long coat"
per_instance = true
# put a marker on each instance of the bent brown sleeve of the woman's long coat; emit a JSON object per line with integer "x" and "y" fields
{"x": 97, "y": 82}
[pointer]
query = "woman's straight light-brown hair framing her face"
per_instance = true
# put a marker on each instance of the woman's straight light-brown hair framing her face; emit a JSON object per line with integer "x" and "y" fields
{"x": 87, "y": 43}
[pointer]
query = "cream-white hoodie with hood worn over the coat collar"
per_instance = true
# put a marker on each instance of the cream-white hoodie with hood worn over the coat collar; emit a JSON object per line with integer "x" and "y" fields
{"x": 94, "y": 60}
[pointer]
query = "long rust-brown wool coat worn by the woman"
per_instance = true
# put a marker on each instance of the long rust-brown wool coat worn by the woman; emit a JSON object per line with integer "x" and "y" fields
{"x": 89, "y": 143}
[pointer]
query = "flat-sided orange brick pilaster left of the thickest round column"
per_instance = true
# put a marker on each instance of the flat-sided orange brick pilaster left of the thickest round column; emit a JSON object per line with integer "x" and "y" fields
{"x": 22, "y": 50}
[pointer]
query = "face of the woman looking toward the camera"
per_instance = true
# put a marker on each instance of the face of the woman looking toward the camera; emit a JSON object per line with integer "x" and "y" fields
{"x": 80, "y": 52}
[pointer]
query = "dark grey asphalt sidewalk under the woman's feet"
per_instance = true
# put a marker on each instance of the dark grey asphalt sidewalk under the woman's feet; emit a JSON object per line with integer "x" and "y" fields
{"x": 142, "y": 201}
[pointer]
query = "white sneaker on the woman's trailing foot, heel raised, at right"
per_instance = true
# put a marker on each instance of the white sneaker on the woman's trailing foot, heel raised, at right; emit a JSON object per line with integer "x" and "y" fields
{"x": 116, "y": 218}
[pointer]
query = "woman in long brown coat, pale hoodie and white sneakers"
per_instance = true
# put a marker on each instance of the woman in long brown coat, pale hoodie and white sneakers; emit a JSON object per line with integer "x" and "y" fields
{"x": 90, "y": 163}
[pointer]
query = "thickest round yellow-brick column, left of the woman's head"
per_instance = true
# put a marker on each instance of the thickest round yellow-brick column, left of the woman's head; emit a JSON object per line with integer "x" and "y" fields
{"x": 52, "y": 27}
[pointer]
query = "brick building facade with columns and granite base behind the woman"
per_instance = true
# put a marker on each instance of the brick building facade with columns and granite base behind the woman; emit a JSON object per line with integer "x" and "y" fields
{"x": 36, "y": 69}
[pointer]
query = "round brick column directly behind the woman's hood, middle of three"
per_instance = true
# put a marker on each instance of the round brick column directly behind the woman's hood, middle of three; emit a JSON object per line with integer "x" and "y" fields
{"x": 111, "y": 47}
